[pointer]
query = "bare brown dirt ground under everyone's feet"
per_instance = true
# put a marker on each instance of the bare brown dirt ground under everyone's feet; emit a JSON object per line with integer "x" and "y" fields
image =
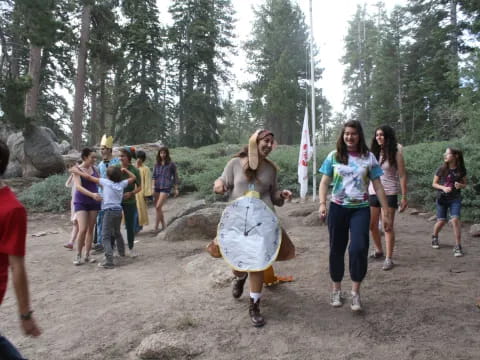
{"x": 422, "y": 309}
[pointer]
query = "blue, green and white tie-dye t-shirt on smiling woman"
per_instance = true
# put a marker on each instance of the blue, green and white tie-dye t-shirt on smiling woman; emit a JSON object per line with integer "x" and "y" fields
{"x": 350, "y": 182}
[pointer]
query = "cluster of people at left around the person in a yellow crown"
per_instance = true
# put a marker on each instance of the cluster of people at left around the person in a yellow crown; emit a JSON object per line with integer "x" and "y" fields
{"x": 102, "y": 196}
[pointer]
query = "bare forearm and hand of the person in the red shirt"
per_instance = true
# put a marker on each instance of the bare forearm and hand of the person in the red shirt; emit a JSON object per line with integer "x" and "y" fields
{"x": 20, "y": 284}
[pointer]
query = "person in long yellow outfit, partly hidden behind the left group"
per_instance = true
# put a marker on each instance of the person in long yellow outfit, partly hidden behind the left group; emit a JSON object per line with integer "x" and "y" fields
{"x": 141, "y": 218}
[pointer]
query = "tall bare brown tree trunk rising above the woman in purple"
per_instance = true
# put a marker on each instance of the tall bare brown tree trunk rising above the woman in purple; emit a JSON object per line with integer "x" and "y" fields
{"x": 77, "y": 117}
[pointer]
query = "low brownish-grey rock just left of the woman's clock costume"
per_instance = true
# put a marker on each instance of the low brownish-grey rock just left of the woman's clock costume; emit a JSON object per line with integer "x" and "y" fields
{"x": 201, "y": 224}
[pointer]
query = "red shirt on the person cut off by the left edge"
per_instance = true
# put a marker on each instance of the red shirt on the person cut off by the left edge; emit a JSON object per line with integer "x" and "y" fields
{"x": 13, "y": 232}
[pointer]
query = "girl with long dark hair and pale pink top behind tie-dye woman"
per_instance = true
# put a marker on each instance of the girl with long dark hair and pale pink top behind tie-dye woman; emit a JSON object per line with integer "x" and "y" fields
{"x": 394, "y": 180}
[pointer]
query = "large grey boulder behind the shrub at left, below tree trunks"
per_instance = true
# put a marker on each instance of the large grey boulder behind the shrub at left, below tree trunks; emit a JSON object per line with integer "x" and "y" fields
{"x": 42, "y": 154}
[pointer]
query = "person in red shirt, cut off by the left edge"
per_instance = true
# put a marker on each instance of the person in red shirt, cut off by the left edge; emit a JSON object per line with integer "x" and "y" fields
{"x": 13, "y": 231}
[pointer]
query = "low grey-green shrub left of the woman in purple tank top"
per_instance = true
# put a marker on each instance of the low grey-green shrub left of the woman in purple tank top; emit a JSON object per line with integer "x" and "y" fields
{"x": 50, "y": 195}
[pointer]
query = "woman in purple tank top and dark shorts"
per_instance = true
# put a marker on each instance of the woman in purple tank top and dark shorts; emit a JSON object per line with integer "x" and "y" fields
{"x": 86, "y": 203}
